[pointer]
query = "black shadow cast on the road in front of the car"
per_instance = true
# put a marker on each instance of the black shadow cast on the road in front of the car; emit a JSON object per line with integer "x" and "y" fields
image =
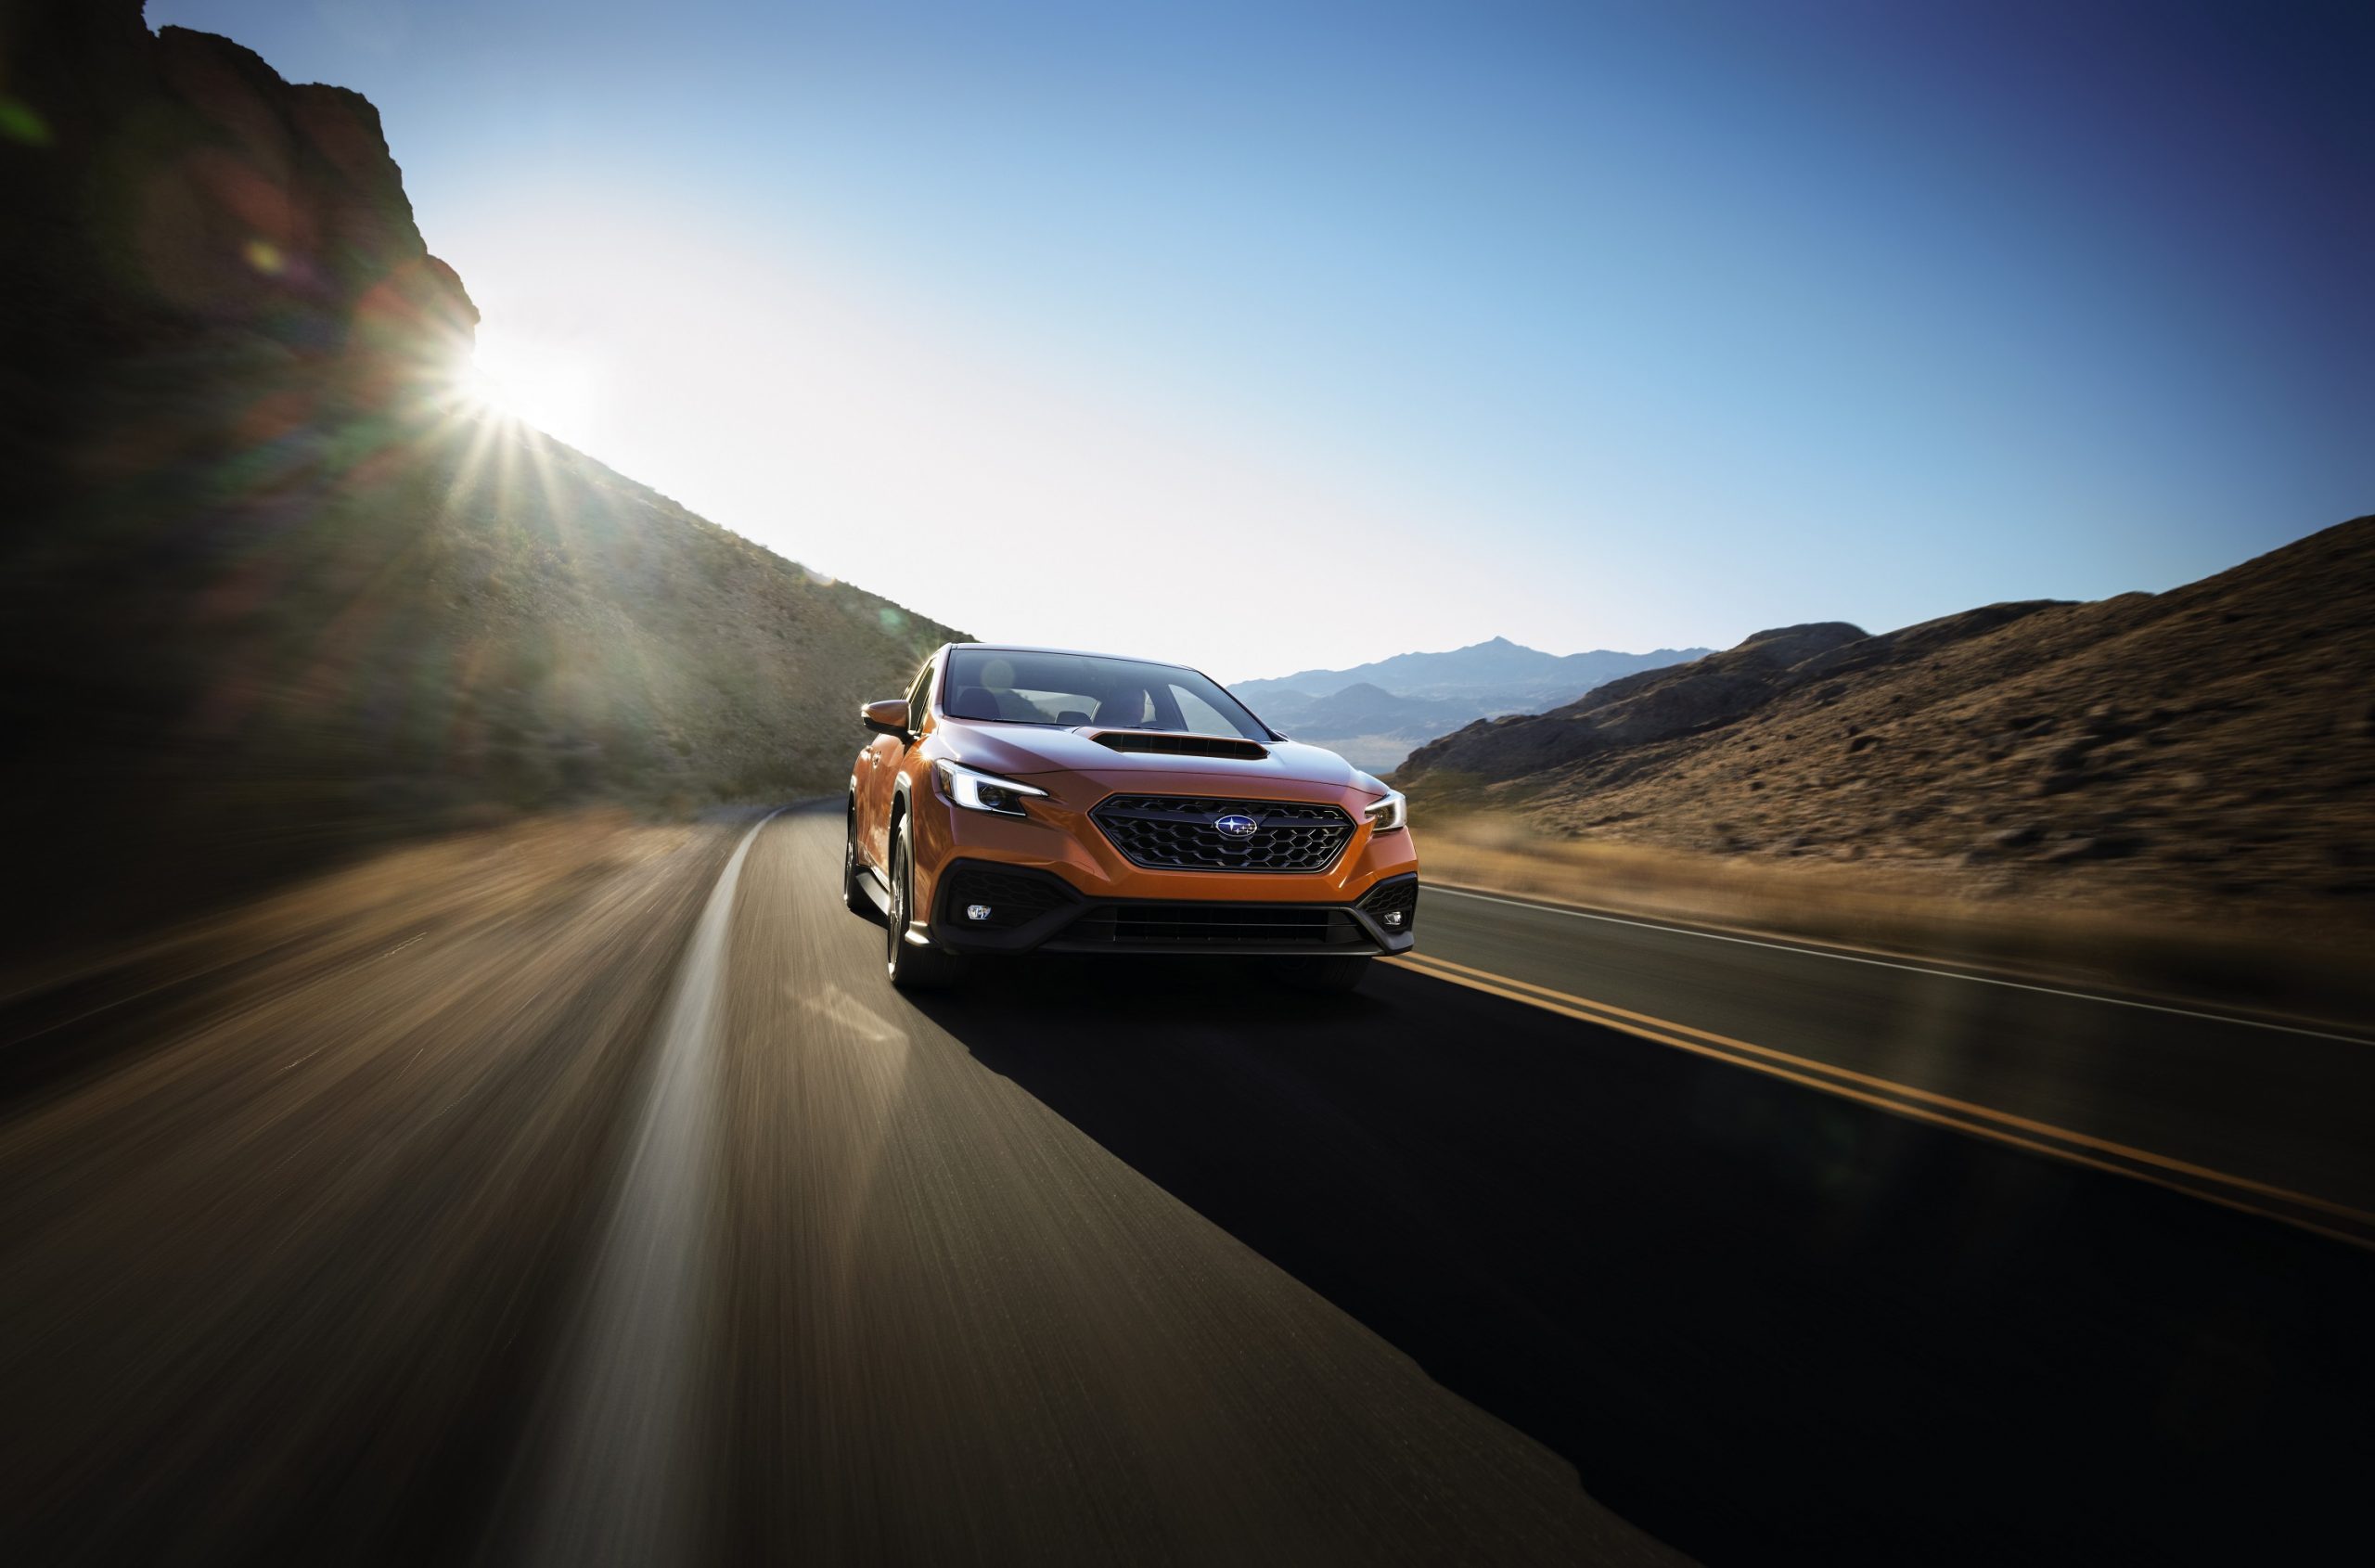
{"x": 1761, "y": 1322}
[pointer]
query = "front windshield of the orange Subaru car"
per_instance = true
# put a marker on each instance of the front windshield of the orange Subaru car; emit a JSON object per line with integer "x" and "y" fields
{"x": 1087, "y": 690}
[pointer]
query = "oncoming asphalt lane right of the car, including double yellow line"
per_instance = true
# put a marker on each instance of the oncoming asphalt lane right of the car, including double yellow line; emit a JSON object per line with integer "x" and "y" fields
{"x": 2265, "y": 1113}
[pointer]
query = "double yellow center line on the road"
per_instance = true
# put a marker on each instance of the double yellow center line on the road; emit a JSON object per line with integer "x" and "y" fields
{"x": 2333, "y": 1220}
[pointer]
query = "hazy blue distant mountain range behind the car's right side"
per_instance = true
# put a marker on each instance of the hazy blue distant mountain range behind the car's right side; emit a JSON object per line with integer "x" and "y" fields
{"x": 1379, "y": 712}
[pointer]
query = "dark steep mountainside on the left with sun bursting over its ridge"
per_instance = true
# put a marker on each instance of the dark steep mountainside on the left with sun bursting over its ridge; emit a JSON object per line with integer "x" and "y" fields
{"x": 270, "y": 588}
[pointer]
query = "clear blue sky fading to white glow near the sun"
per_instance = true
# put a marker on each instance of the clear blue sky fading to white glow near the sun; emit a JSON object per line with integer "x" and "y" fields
{"x": 1281, "y": 336}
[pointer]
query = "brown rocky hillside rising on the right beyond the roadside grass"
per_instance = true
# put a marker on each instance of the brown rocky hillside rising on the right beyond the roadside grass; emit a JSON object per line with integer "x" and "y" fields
{"x": 2205, "y": 750}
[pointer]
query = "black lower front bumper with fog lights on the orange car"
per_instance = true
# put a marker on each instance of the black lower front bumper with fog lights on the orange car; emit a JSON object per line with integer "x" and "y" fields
{"x": 1001, "y": 909}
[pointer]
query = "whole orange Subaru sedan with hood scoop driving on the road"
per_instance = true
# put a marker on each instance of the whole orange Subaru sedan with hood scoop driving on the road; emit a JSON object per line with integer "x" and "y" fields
{"x": 1034, "y": 799}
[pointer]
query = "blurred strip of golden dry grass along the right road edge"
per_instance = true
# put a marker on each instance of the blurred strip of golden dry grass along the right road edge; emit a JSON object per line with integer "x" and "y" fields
{"x": 1918, "y": 911}
